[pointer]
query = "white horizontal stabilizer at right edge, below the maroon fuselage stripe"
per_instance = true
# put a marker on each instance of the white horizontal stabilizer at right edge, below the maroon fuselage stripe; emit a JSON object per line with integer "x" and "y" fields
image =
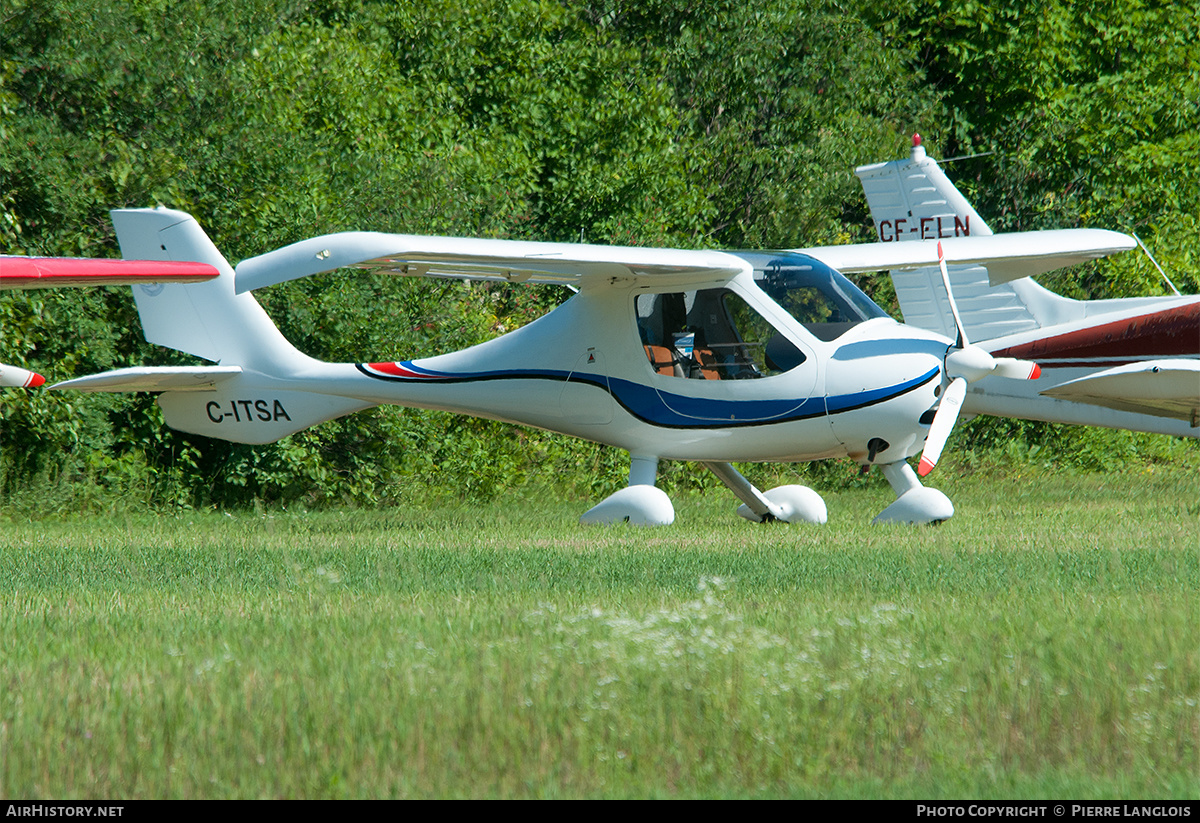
{"x": 1160, "y": 388}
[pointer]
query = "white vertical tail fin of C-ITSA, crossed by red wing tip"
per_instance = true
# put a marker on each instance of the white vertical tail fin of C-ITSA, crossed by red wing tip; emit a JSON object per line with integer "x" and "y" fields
{"x": 206, "y": 320}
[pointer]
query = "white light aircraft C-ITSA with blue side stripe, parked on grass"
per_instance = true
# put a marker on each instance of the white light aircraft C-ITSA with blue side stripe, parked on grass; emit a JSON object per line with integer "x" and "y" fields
{"x": 698, "y": 356}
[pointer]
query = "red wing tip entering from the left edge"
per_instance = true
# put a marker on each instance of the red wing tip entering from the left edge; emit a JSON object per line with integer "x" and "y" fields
{"x": 44, "y": 273}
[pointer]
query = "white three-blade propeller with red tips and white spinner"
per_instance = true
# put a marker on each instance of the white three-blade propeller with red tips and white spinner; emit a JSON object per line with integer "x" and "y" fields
{"x": 964, "y": 364}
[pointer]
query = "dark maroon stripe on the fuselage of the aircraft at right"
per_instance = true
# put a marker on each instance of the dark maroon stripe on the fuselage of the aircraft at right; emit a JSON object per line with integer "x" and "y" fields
{"x": 1169, "y": 333}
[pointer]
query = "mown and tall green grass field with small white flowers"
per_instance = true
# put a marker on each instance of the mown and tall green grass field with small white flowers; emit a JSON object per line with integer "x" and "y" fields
{"x": 1045, "y": 644}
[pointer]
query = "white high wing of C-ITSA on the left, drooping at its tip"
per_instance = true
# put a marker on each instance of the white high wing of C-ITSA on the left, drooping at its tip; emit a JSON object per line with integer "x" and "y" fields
{"x": 472, "y": 259}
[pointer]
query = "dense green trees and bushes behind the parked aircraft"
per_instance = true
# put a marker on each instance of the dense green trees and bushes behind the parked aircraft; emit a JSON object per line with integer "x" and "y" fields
{"x": 663, "y": 123}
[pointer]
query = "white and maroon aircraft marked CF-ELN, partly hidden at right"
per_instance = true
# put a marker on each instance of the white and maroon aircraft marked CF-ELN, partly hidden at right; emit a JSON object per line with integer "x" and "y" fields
{"x": 1130, "y": 363}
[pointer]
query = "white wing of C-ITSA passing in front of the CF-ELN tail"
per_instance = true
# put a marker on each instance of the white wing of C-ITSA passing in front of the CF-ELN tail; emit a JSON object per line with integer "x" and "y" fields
{"x": 1009, "y": 256}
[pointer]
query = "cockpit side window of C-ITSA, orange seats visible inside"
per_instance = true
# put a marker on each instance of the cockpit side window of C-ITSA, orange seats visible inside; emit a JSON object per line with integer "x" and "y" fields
{"x": 713, "y": 335}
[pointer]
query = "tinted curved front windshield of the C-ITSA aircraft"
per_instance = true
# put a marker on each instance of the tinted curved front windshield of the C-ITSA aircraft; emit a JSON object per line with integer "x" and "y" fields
{"x": 820, "y": 298}
